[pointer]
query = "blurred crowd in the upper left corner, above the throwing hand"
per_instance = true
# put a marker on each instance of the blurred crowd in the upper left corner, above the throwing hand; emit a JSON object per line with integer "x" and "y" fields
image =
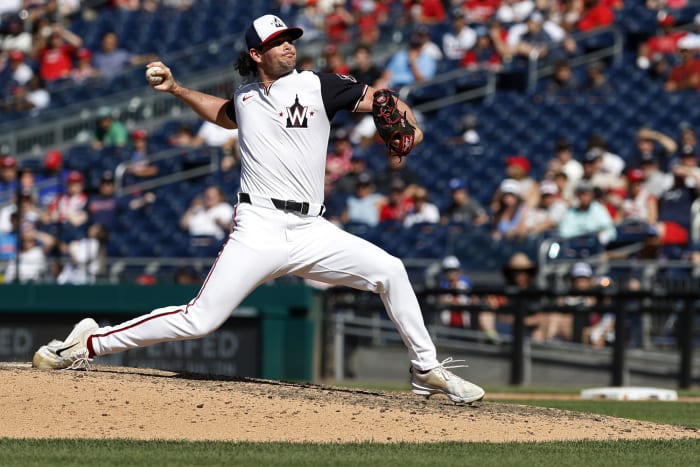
{"x": 39, "y": 52}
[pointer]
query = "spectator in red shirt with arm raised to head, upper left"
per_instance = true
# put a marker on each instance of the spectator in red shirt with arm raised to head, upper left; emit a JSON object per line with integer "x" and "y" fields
{"x": 56, "y": 55}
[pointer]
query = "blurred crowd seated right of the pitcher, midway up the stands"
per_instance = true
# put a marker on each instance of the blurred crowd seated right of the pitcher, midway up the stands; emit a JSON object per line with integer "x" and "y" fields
{"x": 593, "y": 193}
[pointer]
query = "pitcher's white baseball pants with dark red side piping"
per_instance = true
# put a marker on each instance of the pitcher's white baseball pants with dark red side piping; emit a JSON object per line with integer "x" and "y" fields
{"x": 268, "y": 243}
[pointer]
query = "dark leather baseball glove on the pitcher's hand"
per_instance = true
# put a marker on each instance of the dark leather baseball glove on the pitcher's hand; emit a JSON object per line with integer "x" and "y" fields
{"x": 392, "y": 126}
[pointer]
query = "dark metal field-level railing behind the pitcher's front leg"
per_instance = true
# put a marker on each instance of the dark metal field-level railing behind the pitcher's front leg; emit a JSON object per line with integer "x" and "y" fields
{"x": 352, "y": 314}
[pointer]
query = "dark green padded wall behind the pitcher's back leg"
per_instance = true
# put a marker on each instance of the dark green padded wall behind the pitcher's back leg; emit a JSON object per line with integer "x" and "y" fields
{"x": 271, "y": 335}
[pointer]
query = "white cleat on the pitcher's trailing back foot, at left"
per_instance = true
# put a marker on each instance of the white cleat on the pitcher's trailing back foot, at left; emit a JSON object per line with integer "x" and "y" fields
{"x": 71, "y": 353}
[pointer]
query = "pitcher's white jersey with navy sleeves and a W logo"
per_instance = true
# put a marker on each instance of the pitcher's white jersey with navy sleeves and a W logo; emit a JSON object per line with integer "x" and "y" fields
{"x": 287, "y": 159}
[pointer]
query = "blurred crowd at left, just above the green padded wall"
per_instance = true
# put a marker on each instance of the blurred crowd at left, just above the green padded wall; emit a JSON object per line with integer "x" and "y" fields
{"x": 63, "y": 225}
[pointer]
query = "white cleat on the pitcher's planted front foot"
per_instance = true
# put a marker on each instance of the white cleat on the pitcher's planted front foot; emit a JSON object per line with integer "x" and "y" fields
{"x": 440, "y": 380}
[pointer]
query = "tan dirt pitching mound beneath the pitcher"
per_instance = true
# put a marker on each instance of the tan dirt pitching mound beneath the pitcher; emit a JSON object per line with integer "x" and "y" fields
{"x": 113, "y": 402}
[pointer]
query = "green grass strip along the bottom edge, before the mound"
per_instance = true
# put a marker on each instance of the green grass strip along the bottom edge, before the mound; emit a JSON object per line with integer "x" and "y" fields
{"x": 140, "y": 453}
